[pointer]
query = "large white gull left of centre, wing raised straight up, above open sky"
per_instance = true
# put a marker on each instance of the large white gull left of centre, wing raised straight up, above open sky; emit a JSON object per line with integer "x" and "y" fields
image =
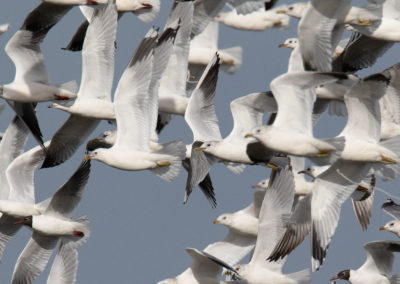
{"x": 134, "y": 108}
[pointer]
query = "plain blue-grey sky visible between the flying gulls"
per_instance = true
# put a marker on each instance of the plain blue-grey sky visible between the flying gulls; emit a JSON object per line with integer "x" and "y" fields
{"x": 140, "y": 226}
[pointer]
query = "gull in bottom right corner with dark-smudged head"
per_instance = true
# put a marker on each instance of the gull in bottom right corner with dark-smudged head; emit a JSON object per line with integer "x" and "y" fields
{"x": 378, "y": 266}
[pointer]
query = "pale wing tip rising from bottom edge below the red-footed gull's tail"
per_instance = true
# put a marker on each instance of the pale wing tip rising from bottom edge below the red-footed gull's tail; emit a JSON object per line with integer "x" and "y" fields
{"x": 65, "y": 266}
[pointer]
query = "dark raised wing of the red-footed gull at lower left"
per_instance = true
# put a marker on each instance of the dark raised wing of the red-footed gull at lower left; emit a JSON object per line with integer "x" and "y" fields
{"x": 68, "y": 196}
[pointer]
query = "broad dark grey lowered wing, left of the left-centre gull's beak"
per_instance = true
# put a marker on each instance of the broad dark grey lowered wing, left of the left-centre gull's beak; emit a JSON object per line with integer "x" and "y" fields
{"x": 68, "y": 138}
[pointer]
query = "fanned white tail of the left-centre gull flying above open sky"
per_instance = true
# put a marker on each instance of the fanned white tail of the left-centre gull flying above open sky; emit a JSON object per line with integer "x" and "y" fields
{"x": 177, "y": 150}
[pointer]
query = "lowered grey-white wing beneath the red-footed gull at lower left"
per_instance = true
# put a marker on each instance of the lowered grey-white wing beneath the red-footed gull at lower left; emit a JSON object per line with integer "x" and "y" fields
{"x": 33, "y": 259}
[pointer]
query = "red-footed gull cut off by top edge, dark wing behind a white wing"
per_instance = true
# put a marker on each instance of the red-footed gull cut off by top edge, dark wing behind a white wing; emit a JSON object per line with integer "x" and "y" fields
{"x": 146, "y": 11}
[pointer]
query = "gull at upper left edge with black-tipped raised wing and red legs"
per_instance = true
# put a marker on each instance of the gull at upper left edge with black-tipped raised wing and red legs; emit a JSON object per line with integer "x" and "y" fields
{"x": 24, "y": 50}
